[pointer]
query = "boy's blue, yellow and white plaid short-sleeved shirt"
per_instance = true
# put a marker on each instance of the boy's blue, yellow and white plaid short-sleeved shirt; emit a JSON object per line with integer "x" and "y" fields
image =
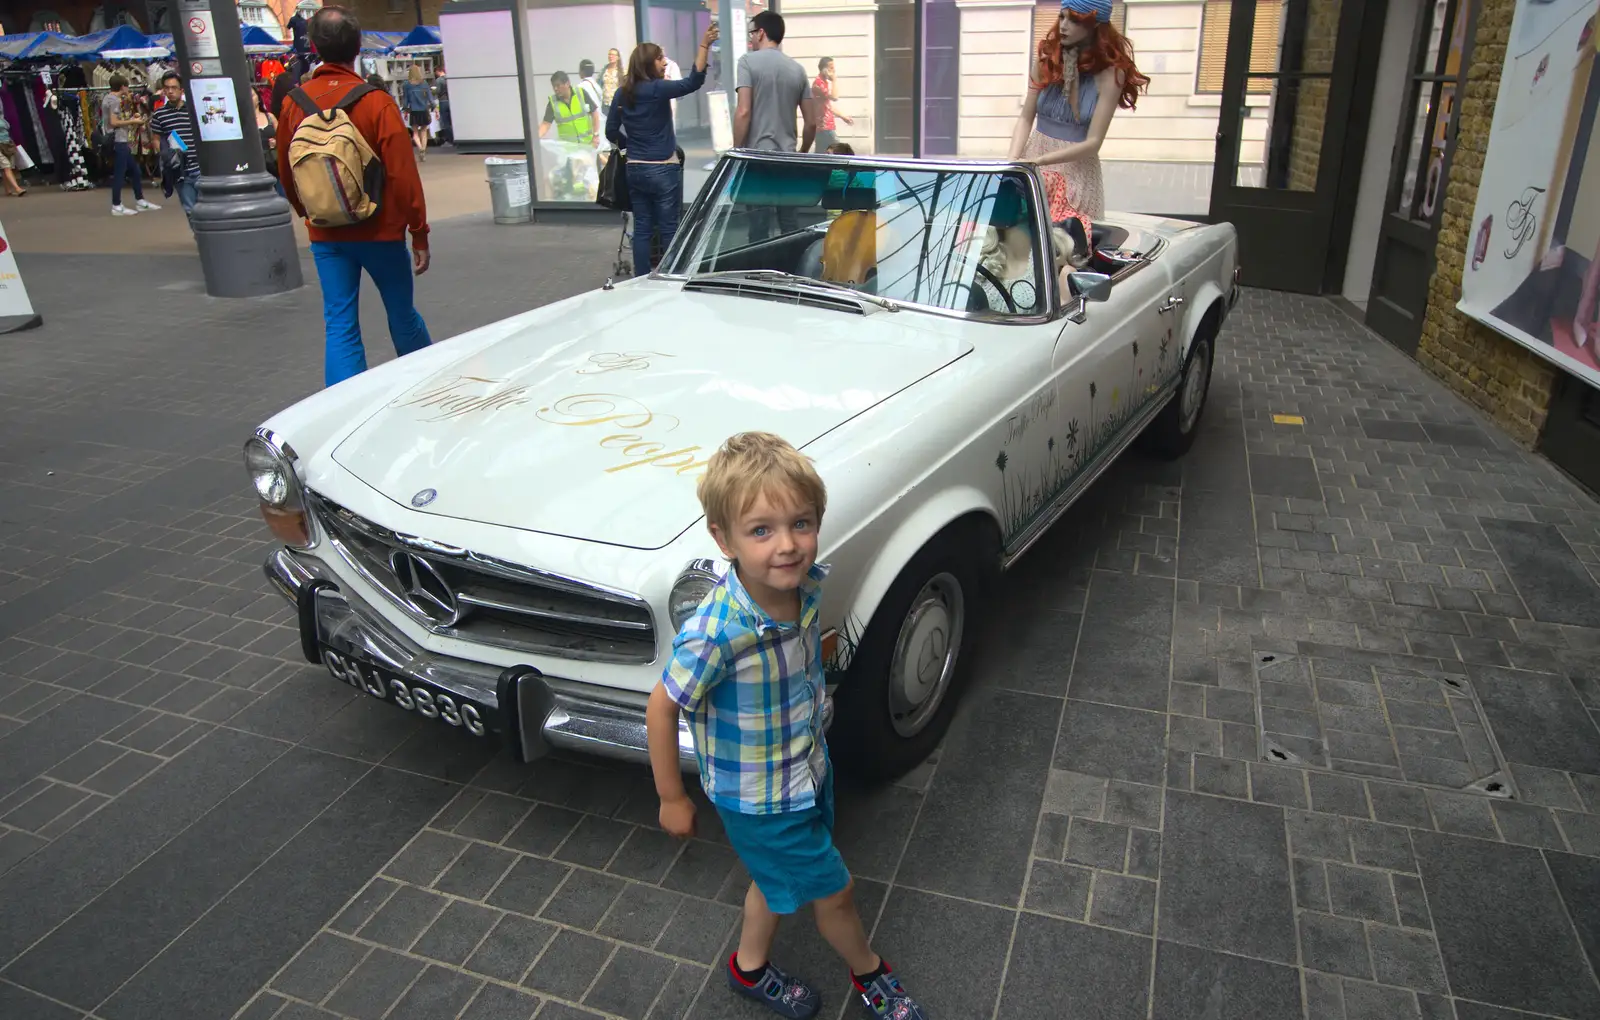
{"x": 753, "y": 690}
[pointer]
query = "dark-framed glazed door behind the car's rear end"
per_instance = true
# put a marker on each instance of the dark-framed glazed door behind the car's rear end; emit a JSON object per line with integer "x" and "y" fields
{"x": 1292, "y": 127}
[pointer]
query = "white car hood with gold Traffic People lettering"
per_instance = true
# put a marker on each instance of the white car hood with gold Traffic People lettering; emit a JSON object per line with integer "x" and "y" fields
{"x": 598, "y": 426}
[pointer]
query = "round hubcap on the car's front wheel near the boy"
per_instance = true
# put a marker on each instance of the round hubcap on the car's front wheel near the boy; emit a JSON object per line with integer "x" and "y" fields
{"x": 926, "y": 655}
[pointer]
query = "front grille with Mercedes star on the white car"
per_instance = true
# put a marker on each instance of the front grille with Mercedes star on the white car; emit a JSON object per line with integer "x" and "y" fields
{"x": 460, "y": 594}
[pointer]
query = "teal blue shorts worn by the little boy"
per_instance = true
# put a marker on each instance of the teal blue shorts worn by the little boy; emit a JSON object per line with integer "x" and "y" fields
{"x": 791, "y": 856}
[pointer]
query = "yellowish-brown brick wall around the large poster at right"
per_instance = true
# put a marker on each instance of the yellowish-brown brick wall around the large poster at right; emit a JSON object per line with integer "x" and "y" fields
{"x": 1505, "y": 380}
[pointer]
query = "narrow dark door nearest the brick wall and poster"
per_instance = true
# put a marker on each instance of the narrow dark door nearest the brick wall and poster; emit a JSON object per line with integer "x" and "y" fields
{"x": 1425, "y": 153}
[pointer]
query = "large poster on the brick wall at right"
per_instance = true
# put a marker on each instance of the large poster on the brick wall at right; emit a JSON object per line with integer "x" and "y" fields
{"x": 1534, "y": 257}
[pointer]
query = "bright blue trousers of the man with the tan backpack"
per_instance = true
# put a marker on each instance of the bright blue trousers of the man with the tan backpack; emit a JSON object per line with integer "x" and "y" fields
{"x": 340, "y": 268}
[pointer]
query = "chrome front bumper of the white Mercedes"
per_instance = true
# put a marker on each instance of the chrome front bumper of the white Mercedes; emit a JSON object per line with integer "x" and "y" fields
{"x": 534, "y": 712}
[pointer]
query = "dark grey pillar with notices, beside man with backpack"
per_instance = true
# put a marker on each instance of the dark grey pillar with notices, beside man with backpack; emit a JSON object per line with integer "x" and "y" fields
{"x": 242, "y": 228}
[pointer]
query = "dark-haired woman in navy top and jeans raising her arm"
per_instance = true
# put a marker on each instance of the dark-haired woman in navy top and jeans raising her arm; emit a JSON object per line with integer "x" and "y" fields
{"x": 641, "y": 122}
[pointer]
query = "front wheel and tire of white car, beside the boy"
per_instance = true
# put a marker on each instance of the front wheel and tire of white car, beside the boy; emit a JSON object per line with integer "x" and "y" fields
{"x": 889, "y": 714}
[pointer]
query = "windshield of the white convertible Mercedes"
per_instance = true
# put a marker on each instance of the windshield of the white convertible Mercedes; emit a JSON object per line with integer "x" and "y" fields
{"x": 956, "y": 241}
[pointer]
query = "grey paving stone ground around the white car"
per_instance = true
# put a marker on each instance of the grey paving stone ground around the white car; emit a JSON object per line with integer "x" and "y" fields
{"x": 1210, "y": 763}
